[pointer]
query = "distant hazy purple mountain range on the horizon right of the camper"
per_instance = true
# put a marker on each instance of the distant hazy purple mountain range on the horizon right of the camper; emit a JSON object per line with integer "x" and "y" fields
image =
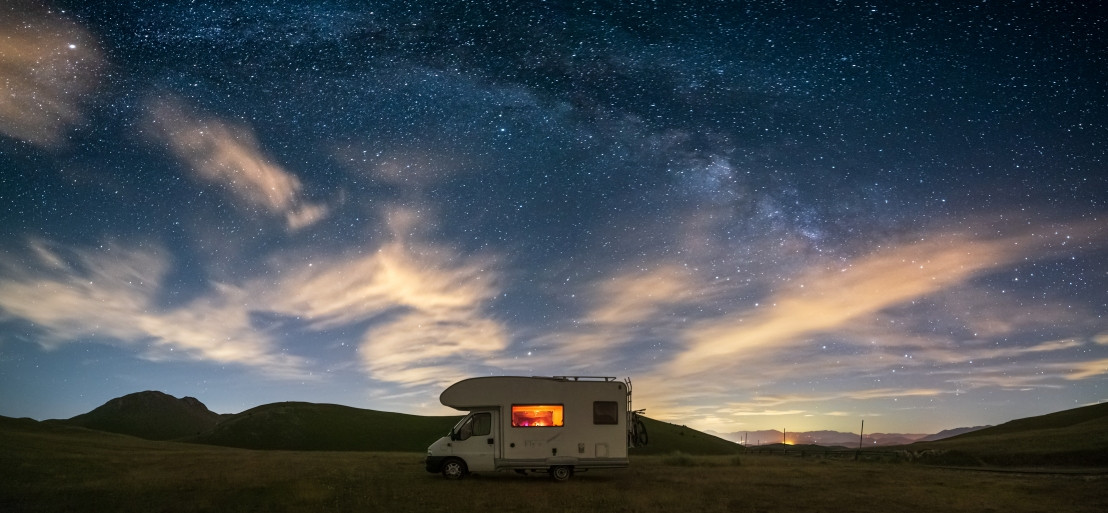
{"x": 838, "y": 438}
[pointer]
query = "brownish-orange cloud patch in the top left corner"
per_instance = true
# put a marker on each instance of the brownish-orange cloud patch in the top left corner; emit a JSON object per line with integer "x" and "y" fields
{"x": 48, "y": 67}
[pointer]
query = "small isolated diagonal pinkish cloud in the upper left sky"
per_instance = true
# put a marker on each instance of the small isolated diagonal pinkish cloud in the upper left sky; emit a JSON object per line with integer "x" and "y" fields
{"x": 230, "y": 155}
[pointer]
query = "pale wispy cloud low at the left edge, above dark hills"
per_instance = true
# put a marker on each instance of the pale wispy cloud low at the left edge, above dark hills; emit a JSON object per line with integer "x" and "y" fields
{"x": 111, "y": 295}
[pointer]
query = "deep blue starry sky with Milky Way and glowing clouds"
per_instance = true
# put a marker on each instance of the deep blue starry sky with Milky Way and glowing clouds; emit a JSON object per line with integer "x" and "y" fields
{"x": 767, "y": 214}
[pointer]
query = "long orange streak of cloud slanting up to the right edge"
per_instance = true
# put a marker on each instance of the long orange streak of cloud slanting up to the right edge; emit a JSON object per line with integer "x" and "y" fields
{"x": 829, "y": 299}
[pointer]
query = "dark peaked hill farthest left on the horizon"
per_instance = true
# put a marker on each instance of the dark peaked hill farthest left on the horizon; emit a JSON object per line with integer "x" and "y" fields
{"x": 150, "y": 415}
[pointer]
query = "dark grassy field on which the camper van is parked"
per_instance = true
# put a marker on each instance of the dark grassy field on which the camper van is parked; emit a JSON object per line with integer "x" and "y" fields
{"x": 77, "y": 470}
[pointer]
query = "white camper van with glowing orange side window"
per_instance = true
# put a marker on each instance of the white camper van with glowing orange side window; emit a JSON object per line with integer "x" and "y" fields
{"x": 559, "y": 426}
